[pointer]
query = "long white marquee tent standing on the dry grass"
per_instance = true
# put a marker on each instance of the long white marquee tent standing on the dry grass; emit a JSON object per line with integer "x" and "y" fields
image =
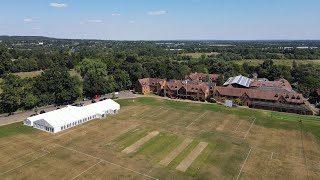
{"x": 70, "y": 116}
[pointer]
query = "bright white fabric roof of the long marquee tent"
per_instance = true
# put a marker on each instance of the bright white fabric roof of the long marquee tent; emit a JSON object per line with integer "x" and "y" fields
{"x": 70, "y": 114}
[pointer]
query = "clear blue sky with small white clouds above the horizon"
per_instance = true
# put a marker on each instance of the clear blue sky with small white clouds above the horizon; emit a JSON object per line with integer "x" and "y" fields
{"x": 162, "y": 19}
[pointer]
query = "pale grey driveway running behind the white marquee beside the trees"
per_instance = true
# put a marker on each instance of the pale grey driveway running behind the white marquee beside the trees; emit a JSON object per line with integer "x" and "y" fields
{"x": 18, "y": 117}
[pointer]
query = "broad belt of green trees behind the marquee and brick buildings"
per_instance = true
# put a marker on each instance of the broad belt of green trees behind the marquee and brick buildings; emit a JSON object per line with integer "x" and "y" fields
{"x": 114, "y": 67}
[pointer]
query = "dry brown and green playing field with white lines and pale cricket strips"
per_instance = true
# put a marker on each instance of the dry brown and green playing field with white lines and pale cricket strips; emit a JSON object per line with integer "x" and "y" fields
{"x": 153, "y": 138}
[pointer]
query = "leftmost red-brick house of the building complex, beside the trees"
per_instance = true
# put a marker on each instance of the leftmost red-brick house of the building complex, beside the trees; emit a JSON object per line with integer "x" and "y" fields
{"x": 147, "y": 85}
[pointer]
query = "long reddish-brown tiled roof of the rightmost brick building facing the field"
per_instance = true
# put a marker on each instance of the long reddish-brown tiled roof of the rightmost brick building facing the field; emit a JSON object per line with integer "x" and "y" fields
{"x": 261, "y": 94}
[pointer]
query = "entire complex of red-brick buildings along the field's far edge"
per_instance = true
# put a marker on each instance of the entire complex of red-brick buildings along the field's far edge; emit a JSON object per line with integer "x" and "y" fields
{"x": 275, "y": 95}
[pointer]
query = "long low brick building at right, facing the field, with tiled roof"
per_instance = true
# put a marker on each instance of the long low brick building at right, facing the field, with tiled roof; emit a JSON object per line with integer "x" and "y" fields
{"x": 282, "y": 101}
